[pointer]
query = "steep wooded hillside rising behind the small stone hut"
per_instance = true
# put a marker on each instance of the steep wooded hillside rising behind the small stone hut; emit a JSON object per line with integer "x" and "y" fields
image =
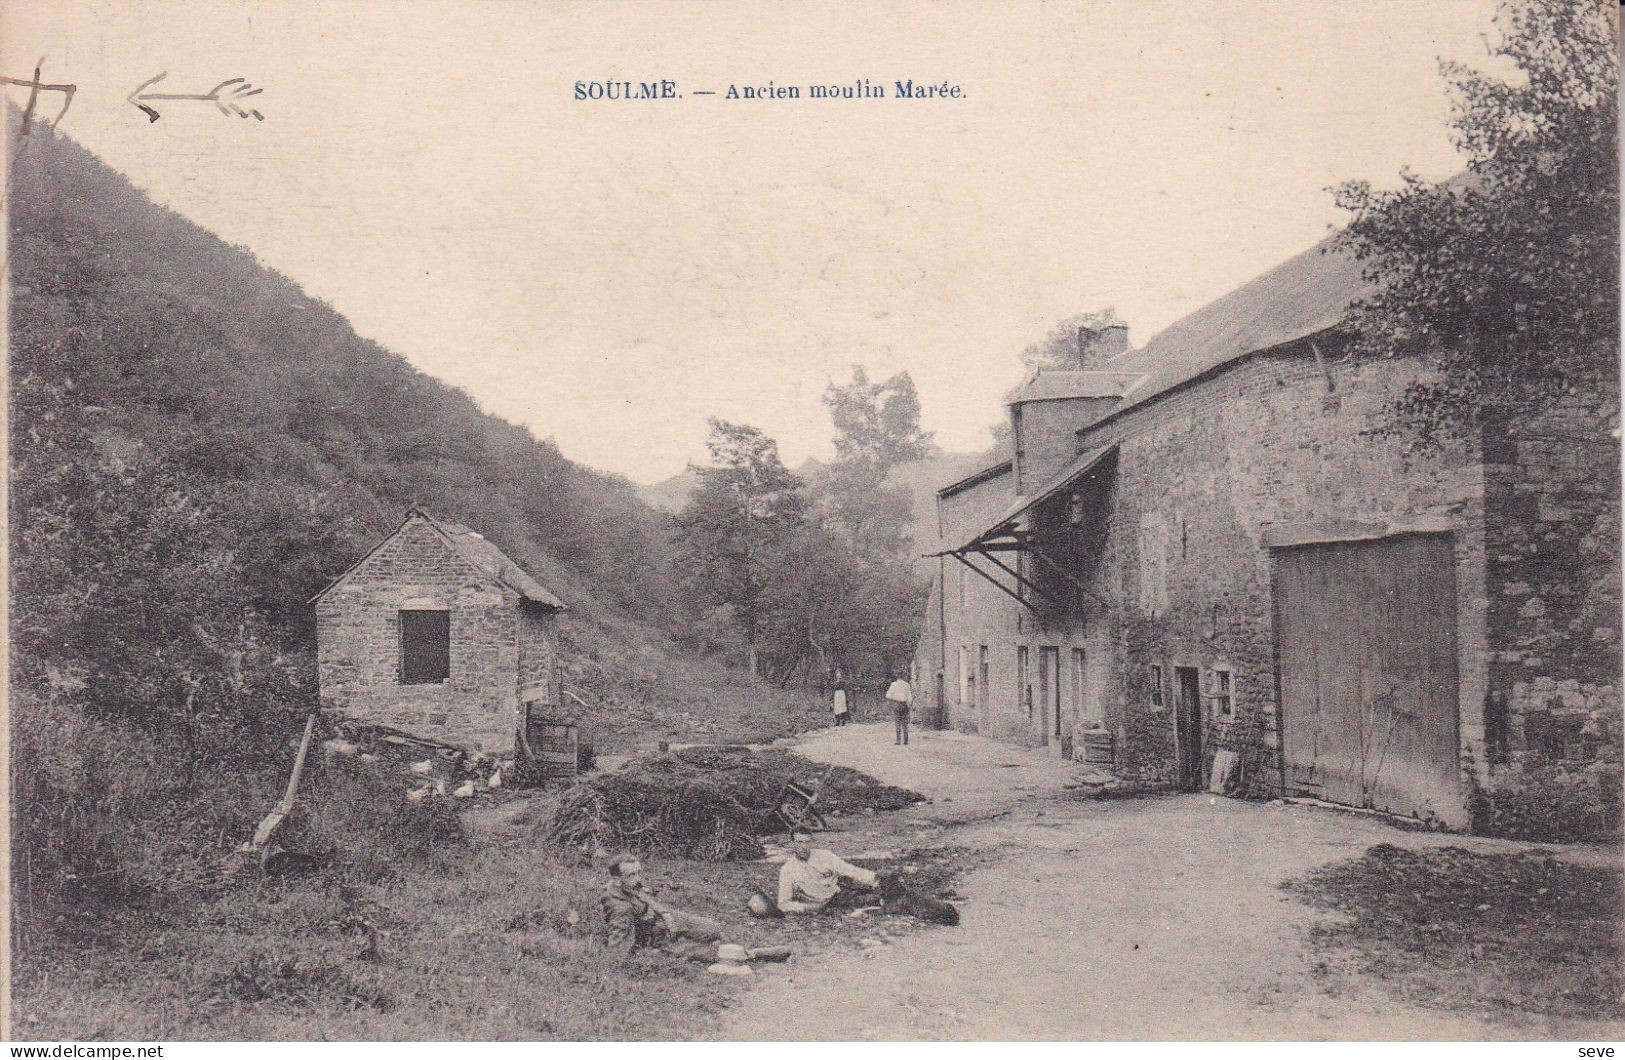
{"x": 197, "y": 448}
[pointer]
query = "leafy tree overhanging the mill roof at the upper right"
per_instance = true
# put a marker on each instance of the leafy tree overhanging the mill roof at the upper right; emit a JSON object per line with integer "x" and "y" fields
{"x": 1507, "y": 277}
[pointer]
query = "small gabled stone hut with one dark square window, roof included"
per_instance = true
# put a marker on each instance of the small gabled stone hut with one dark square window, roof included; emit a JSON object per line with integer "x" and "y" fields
{"x": 440, "y": 635}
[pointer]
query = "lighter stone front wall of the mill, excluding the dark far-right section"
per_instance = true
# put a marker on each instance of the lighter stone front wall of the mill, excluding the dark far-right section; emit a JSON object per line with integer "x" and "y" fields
{"x": 1203, "y": 477}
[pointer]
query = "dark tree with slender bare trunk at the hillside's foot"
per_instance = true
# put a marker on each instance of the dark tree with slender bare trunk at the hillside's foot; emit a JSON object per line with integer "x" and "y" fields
{"x": 735, "y": 529}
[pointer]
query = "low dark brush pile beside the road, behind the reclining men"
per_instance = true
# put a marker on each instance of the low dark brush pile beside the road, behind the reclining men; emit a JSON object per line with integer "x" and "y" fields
{"x": 706, "y": 804}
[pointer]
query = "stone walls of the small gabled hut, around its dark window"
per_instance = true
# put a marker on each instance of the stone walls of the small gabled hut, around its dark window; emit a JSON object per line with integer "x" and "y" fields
{"x": 358, "y": 645}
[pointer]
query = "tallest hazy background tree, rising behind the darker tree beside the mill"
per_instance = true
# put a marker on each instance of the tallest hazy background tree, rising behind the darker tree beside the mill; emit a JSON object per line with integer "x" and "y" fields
{"x": 877, "y": 430}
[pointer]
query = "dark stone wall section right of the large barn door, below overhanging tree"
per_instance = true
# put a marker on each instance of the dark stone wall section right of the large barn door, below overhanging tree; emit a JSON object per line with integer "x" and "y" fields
{"x": 1554, "y": 744}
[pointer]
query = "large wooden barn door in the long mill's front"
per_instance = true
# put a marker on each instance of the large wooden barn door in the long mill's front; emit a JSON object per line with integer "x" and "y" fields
{"x": 1366, "y": 636}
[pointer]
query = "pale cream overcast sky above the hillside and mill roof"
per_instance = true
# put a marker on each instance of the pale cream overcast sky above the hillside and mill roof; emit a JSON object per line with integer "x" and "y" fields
{"x": 610, "y": 274}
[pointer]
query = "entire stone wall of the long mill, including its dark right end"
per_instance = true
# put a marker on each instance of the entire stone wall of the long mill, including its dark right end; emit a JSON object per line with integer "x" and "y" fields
{"x": 1281, "y": 448}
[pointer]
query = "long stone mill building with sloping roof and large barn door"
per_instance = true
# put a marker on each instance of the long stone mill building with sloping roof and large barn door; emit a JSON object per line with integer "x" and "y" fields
{"x": 1202, "y": 567}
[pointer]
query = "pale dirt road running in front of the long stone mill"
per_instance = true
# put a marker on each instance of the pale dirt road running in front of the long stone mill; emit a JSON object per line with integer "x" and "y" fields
{"x": 1098, "y": 919}
